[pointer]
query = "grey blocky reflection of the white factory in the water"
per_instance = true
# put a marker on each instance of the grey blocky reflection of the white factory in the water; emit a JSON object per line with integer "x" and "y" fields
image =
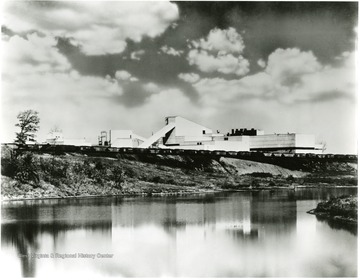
{"x": 251, "y": 212}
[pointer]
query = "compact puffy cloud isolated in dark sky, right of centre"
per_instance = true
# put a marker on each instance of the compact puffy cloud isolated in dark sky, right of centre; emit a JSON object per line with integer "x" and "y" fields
{"x": 219, "y": 52}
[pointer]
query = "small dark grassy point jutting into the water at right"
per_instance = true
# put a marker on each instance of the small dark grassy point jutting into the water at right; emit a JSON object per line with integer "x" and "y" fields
{"x": 340, "y": 209}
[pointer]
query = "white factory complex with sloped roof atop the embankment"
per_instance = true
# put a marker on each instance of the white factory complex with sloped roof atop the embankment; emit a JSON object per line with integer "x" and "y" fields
{"x": 180, "y": 133}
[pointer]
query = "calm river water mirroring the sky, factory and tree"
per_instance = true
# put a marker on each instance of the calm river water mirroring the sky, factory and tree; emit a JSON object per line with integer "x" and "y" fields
{"x": 242, "y": 234}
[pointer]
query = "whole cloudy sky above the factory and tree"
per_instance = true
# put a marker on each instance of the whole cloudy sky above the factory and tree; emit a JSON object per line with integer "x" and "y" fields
{"x": 92, "y": 66}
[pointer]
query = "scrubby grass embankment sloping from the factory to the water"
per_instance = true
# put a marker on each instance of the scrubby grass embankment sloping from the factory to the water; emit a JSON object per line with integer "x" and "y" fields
{"x": 29, "y": 175}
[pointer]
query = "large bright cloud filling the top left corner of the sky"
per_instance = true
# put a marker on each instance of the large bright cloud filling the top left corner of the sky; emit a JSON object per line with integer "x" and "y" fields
{"x": 99, "y": 27}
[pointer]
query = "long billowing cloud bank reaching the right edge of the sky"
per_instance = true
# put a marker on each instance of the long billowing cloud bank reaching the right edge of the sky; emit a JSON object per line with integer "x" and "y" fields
{"x": 290, "y": 76}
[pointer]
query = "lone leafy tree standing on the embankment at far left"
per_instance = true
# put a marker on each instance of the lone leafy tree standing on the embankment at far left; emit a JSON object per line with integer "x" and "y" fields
{"x": 29, "y": 125}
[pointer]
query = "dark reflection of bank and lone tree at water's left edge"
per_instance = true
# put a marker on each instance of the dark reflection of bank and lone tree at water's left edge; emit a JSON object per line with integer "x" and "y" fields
{"x": 24, "y": 224}
